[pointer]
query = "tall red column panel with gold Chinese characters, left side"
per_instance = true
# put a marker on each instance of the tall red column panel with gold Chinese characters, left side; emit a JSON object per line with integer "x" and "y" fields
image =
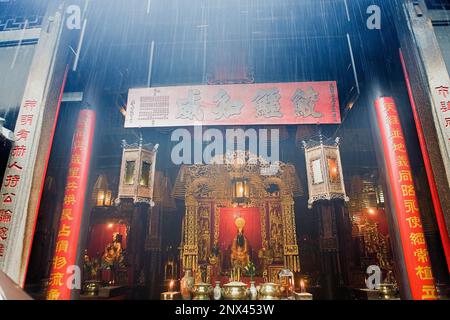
{"x": 65, "y": 254}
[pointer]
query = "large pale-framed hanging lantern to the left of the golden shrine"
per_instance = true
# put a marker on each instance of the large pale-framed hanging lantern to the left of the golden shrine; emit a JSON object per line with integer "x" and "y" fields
{"x": 137, "y": 172}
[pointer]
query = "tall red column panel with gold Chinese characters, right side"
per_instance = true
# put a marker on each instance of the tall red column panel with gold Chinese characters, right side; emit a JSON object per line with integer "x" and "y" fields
{"x": 404, "y": 197}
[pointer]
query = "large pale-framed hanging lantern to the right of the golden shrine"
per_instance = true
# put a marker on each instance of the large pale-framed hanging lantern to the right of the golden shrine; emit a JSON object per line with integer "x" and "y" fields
{"x": 324, "y": 170}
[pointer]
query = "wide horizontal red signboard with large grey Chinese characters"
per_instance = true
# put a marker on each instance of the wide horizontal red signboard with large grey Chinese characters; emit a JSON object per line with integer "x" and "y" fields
{"x": 235, "y": 104}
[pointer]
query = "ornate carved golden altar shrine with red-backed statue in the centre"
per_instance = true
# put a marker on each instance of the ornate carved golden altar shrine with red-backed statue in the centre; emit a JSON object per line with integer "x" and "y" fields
{"x": 221, "y": 235}
